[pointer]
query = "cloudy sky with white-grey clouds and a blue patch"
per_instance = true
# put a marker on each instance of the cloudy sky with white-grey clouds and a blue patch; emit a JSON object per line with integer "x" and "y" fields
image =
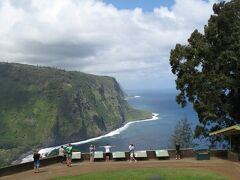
{"x": 128, "y": 39}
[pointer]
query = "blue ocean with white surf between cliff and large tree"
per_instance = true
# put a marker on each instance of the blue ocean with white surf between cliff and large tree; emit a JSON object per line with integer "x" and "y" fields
{"x": 150, "y": 134}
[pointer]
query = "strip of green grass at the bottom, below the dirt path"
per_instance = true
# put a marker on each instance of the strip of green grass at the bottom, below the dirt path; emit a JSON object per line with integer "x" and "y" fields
{"x": 153, "y": 173}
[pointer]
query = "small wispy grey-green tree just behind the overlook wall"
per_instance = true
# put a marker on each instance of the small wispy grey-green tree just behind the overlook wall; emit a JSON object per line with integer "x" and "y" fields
{"x": 182, "y": 134}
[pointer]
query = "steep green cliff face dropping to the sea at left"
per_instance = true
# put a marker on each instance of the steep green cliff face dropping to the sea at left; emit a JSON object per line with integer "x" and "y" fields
{"x": 41, "y": 106}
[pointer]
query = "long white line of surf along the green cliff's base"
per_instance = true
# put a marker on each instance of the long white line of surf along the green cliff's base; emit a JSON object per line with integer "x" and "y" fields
{"x": 44, "y": 152}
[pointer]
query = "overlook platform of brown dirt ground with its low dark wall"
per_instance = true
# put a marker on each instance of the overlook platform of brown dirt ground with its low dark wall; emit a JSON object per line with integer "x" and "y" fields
{"x": 50, "y": 167}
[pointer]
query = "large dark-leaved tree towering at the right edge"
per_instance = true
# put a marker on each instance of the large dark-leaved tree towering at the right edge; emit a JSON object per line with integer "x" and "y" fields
{"x": 208, "y": 69}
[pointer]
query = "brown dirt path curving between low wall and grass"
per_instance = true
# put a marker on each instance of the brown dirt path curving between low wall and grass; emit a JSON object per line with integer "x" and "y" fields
{"x": 228, "y": 169}
